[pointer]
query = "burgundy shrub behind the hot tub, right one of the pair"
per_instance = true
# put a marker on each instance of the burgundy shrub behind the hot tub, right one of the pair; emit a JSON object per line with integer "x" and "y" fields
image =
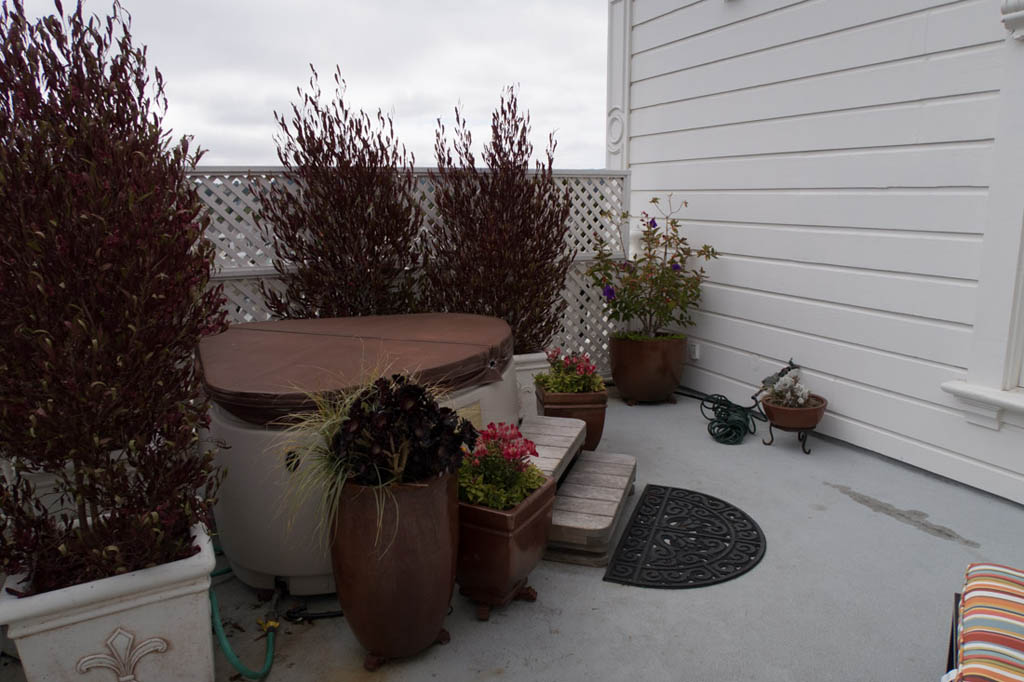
{"x": 500, "y": 248}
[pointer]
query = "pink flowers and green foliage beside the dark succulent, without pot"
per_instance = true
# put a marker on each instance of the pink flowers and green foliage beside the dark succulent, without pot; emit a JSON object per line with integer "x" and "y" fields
{"x": 498, "y": 473}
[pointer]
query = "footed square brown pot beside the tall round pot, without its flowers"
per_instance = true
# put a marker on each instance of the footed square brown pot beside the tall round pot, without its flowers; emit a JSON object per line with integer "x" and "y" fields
{"x": 498, "y": 549}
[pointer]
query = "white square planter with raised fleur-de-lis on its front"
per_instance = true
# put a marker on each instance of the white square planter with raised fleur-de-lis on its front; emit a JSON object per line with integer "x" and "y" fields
{"x": 151, "y": 625}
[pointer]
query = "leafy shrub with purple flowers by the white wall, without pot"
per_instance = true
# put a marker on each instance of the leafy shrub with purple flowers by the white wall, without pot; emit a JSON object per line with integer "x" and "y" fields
{"x": 656, "y": 288}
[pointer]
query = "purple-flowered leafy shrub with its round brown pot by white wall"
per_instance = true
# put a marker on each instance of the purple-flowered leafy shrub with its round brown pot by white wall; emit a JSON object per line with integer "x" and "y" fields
{"x": 653, "y": 292}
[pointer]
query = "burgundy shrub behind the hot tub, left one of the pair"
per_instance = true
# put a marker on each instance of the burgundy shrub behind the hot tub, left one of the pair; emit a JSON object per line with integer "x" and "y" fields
{"x": 346, "y": 223}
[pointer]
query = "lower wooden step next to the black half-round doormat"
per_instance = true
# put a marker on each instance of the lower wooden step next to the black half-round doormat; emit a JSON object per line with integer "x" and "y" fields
{"x": 588, "y": 507}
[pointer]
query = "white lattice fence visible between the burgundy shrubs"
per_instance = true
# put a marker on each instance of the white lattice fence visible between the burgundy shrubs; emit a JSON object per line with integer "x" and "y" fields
{"x": 245, "y": 259}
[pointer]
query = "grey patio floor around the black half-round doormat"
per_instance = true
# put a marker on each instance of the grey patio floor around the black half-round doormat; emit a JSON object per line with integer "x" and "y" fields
{"x": 864, "y": 557}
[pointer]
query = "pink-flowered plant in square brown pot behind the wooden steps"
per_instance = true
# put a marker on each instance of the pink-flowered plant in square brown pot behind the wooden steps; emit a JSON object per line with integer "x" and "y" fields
{"x": 573, "y": 389}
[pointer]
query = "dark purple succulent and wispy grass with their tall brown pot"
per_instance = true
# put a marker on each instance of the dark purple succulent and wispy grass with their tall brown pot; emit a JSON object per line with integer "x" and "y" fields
{"x": 382, "y": 459}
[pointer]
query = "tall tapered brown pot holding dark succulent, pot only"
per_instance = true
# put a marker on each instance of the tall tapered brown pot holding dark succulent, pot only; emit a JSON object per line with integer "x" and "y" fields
{"x": 396, "y": 593}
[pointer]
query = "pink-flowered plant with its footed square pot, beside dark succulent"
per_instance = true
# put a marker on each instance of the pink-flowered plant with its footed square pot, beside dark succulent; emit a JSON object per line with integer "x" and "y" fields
{"x": 505, "y": 513}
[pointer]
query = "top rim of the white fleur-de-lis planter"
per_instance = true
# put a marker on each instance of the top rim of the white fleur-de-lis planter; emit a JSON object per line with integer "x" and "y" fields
{"x": 78, "y": 603}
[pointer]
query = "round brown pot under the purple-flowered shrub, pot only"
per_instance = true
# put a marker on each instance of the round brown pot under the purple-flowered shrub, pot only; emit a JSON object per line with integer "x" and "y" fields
{"x": 648, "y": 371}
